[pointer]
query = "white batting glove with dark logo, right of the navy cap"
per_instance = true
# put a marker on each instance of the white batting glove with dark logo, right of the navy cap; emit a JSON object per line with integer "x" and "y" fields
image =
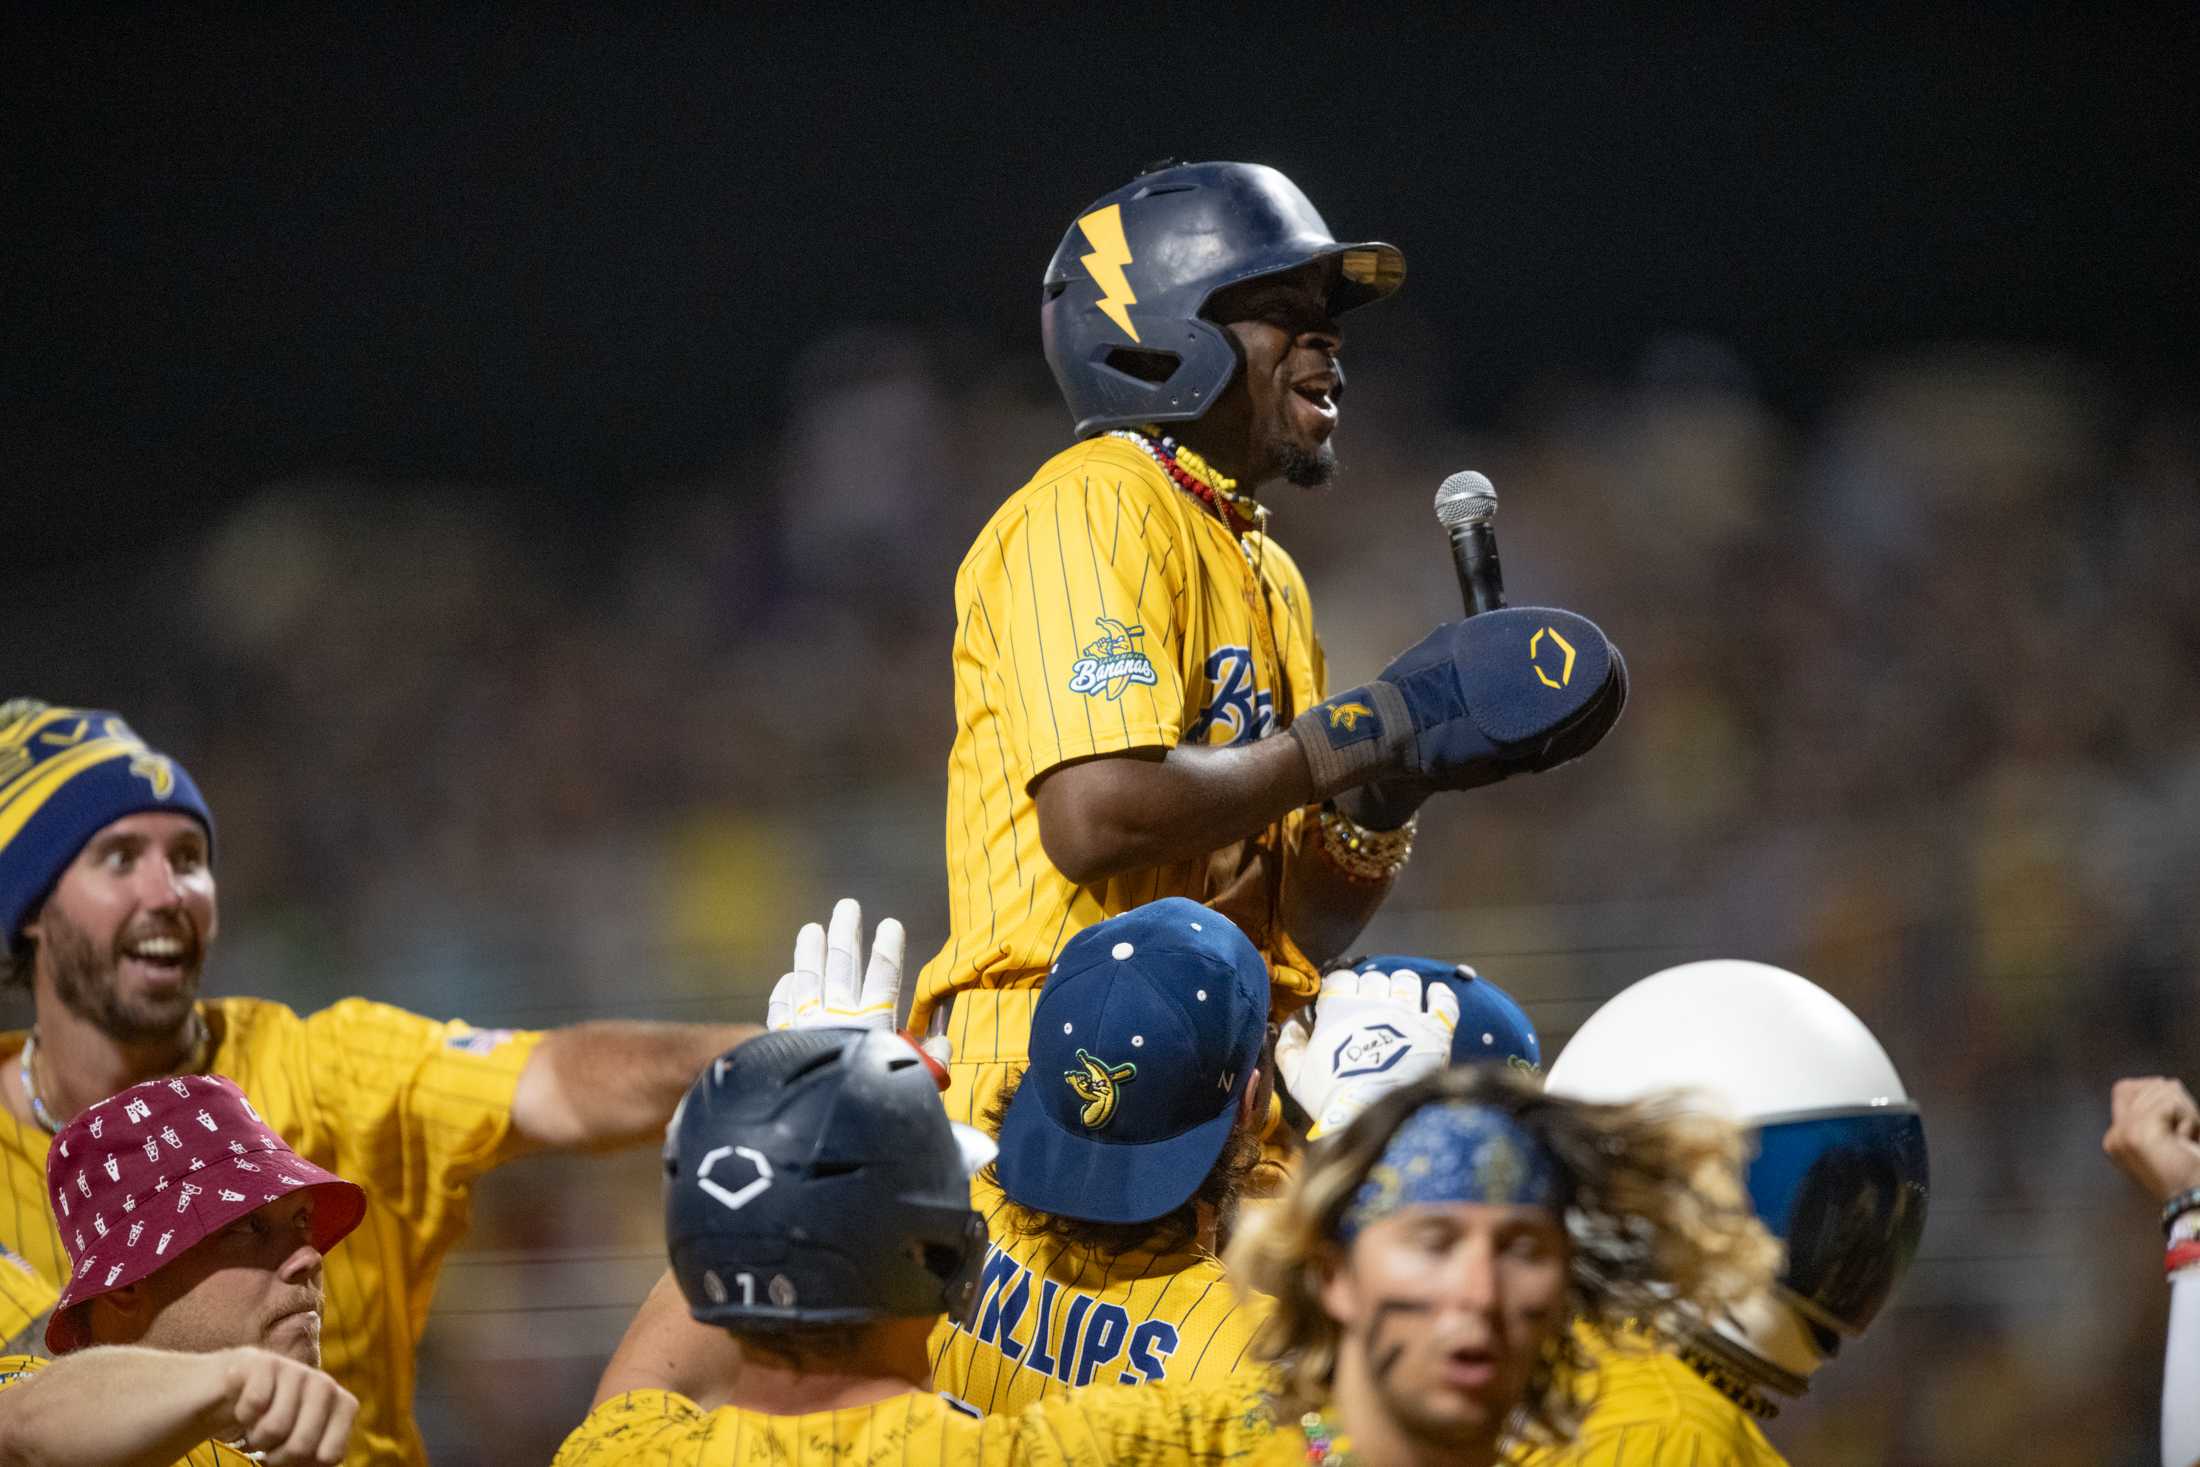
{"x": 1365, "y": 1037}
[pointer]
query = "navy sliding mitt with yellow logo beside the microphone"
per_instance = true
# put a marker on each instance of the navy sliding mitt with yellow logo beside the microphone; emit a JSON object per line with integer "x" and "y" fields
{"x": 1510, "y": 692}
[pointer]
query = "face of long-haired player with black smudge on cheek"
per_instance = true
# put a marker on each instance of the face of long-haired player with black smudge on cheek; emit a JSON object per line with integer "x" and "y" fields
{"x": 1446, "y": 1312}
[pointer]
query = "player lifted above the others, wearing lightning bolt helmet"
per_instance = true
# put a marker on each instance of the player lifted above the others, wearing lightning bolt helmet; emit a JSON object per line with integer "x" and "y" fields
{"x": 1138, "y": 683}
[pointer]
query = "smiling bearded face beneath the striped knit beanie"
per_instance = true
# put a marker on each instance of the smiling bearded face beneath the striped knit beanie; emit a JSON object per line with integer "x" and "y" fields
{"x": 126, "y": 931}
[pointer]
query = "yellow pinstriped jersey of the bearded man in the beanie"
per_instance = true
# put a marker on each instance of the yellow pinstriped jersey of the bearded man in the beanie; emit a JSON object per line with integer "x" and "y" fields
{"x": 408, "y": 1107}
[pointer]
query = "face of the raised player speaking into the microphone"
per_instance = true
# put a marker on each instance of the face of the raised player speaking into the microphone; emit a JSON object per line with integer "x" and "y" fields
{"x": 1290, "y": 373}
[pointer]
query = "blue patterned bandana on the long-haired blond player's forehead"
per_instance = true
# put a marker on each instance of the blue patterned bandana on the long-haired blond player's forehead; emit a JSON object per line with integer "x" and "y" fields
{"x": 1457, "y": 1154}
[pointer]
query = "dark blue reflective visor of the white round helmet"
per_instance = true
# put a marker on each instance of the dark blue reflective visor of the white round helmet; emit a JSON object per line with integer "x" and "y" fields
{"x": 1845, "y": 1191}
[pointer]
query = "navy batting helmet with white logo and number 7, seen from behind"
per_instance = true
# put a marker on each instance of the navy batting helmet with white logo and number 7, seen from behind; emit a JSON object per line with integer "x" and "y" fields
{"x": 813, "y": 1178}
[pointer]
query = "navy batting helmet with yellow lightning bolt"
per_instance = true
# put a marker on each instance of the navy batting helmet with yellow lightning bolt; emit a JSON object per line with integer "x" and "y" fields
{"x": 1127, "y": 285}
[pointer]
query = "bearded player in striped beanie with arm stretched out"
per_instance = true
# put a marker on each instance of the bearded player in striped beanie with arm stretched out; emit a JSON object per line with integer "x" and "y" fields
{"x": 109, "y": 914}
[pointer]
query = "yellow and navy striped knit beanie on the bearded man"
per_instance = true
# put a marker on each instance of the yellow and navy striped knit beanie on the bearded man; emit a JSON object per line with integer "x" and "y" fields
{"x": 67, "y": 775}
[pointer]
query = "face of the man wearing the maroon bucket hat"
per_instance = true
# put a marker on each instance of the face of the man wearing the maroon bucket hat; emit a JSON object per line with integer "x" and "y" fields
{"x": 256, "y": 1281}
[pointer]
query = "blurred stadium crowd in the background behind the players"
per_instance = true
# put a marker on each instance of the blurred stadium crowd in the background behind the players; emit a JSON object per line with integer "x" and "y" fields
{"x": 1913, "y": 716}
